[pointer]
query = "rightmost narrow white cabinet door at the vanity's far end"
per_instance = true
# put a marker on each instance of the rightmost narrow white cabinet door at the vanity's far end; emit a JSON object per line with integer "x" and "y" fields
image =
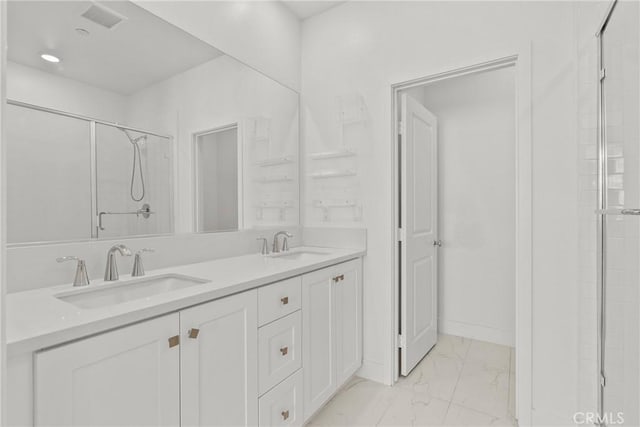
{"x": 348, "y": 309}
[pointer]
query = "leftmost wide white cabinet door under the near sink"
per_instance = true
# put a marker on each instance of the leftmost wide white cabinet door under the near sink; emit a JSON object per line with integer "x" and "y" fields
{"x": 126, "y": 377}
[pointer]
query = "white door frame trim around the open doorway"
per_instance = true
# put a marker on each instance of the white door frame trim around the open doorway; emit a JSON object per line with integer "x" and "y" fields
{"x": 520, "y": 59}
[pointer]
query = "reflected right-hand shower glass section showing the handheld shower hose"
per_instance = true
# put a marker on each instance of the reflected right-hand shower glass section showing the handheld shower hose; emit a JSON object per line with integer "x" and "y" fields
{"x": 133, "y": 177}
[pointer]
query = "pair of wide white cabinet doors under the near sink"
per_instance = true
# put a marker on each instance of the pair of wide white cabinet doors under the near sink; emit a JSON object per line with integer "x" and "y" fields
{"x": 195, "y": 367}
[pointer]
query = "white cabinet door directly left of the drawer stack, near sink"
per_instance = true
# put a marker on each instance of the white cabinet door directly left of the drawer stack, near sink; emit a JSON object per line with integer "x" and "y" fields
{"x": 219, "y": 363}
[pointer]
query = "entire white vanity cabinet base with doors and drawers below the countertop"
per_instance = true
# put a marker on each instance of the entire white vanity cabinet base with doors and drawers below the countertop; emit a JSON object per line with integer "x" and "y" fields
{"x": 271, "y": 355}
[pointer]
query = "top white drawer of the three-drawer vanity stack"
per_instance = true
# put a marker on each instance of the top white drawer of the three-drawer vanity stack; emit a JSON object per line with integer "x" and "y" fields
{"x": 279, "y": 299}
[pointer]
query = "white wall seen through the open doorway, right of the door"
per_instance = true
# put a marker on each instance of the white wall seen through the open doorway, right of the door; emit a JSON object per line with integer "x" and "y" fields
{"x": 476, "y": 168}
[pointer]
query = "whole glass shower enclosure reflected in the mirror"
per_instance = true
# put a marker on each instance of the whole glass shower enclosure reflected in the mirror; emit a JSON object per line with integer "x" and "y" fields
{"x": 71, "y": 177}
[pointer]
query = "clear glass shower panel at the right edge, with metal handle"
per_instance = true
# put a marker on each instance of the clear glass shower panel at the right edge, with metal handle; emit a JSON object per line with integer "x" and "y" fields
{"x": 621, "y": 237}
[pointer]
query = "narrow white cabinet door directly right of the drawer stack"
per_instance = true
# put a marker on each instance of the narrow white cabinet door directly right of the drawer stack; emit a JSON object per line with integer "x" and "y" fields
{"x": 318, "y": 351}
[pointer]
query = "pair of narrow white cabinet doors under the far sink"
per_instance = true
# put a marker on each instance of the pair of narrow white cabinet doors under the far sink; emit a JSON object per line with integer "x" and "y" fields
{"x": 332, "y": 331}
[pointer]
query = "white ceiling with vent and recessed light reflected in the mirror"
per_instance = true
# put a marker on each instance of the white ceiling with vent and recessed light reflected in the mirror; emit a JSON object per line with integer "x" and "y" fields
{"x": 138, "y": 52}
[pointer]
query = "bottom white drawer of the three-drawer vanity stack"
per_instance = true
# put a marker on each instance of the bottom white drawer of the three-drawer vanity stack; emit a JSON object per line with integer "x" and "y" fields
{"x": 282, "y": 406}
